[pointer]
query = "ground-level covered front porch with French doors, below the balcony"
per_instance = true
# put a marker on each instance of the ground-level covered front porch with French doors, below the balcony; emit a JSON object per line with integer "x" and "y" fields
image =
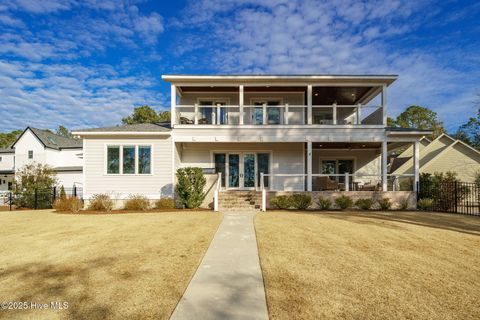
{"x": 278, "y": 167}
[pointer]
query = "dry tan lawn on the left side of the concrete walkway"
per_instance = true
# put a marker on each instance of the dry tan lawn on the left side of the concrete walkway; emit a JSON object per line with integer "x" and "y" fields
{"x": 130, "y": 266}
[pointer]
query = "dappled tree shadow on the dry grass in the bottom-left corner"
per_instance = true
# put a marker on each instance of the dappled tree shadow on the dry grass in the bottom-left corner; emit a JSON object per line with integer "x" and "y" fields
{"x": 43, "y": 283}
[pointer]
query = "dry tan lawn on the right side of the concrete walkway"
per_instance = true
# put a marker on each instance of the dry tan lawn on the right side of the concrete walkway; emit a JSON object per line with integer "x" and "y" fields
{"x": 349, "y": 265}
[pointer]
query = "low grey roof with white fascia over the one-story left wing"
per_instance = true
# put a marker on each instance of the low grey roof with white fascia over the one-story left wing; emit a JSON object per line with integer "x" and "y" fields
{"x": 138, "y": 128}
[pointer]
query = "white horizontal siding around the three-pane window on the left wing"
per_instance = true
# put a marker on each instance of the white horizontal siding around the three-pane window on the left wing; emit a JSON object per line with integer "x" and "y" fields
{"x": 158, "y": 184}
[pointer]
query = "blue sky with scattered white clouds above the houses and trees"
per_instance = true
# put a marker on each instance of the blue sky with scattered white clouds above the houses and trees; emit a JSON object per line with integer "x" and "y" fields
{"x": 88, "y": 63}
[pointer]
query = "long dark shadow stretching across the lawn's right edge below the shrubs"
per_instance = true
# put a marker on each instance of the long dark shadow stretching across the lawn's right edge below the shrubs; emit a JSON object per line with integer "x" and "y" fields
{"x": 459, "y": 223}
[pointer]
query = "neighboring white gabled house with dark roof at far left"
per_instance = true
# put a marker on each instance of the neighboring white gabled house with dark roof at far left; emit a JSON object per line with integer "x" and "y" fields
{"x": 64, "y": 155}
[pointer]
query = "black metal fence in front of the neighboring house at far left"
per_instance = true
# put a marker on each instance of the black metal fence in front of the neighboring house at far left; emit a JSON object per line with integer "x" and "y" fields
{"x": 37, "y": 198}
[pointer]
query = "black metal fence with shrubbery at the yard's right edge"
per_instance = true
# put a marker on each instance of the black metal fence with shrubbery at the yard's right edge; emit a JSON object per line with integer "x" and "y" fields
{"x": 451, "y": 196}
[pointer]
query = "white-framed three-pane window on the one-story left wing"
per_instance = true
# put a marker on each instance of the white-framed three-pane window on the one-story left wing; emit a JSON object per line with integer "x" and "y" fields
{"x": 129, "y": 159}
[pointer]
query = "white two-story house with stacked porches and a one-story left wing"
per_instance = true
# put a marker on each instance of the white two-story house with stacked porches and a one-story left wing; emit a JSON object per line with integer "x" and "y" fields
{"x": 323, "y": 134}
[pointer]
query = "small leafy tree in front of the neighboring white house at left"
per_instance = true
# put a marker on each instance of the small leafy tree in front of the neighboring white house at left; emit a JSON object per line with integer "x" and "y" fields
{"x": 34, "y": 185}
